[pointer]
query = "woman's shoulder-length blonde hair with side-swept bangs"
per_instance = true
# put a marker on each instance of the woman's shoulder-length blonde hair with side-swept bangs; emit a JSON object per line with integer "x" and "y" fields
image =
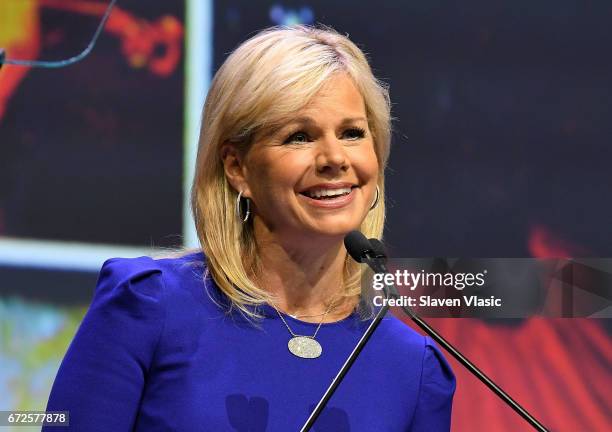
{"x": 249, "y": 94}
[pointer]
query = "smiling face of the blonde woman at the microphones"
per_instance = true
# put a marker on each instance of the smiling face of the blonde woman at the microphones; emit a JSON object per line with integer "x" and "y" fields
{"x": 317, "y": 174}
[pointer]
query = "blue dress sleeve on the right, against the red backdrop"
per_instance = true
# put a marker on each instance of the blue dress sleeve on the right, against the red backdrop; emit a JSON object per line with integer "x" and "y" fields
{"x": 433, "y": 412}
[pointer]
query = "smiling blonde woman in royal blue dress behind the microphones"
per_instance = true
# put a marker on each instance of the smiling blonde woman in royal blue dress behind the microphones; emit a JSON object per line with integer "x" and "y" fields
{"x": 295, "y": 138}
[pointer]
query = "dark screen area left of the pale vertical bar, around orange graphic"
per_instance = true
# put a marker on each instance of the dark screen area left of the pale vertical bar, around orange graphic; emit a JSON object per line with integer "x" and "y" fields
{"x": 93, "y": 152}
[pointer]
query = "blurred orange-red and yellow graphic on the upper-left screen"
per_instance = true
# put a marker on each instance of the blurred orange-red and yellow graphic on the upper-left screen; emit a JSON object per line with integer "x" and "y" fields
{"x": 155, "y": 45}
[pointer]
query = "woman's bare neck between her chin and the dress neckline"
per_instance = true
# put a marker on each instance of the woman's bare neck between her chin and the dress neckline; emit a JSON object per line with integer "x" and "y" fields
{"x": 304, "y": 275}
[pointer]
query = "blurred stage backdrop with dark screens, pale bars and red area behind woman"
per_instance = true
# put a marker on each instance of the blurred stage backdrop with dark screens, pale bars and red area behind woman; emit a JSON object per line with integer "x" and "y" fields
{"x": 501, "y": 148}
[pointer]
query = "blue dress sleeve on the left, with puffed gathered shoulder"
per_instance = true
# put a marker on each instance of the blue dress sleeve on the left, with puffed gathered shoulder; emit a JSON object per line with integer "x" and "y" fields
{"x": 101, "y": 378}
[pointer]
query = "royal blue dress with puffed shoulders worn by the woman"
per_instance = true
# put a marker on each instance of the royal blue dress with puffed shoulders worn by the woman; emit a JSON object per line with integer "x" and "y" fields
{"x": 156, "y": 353}
